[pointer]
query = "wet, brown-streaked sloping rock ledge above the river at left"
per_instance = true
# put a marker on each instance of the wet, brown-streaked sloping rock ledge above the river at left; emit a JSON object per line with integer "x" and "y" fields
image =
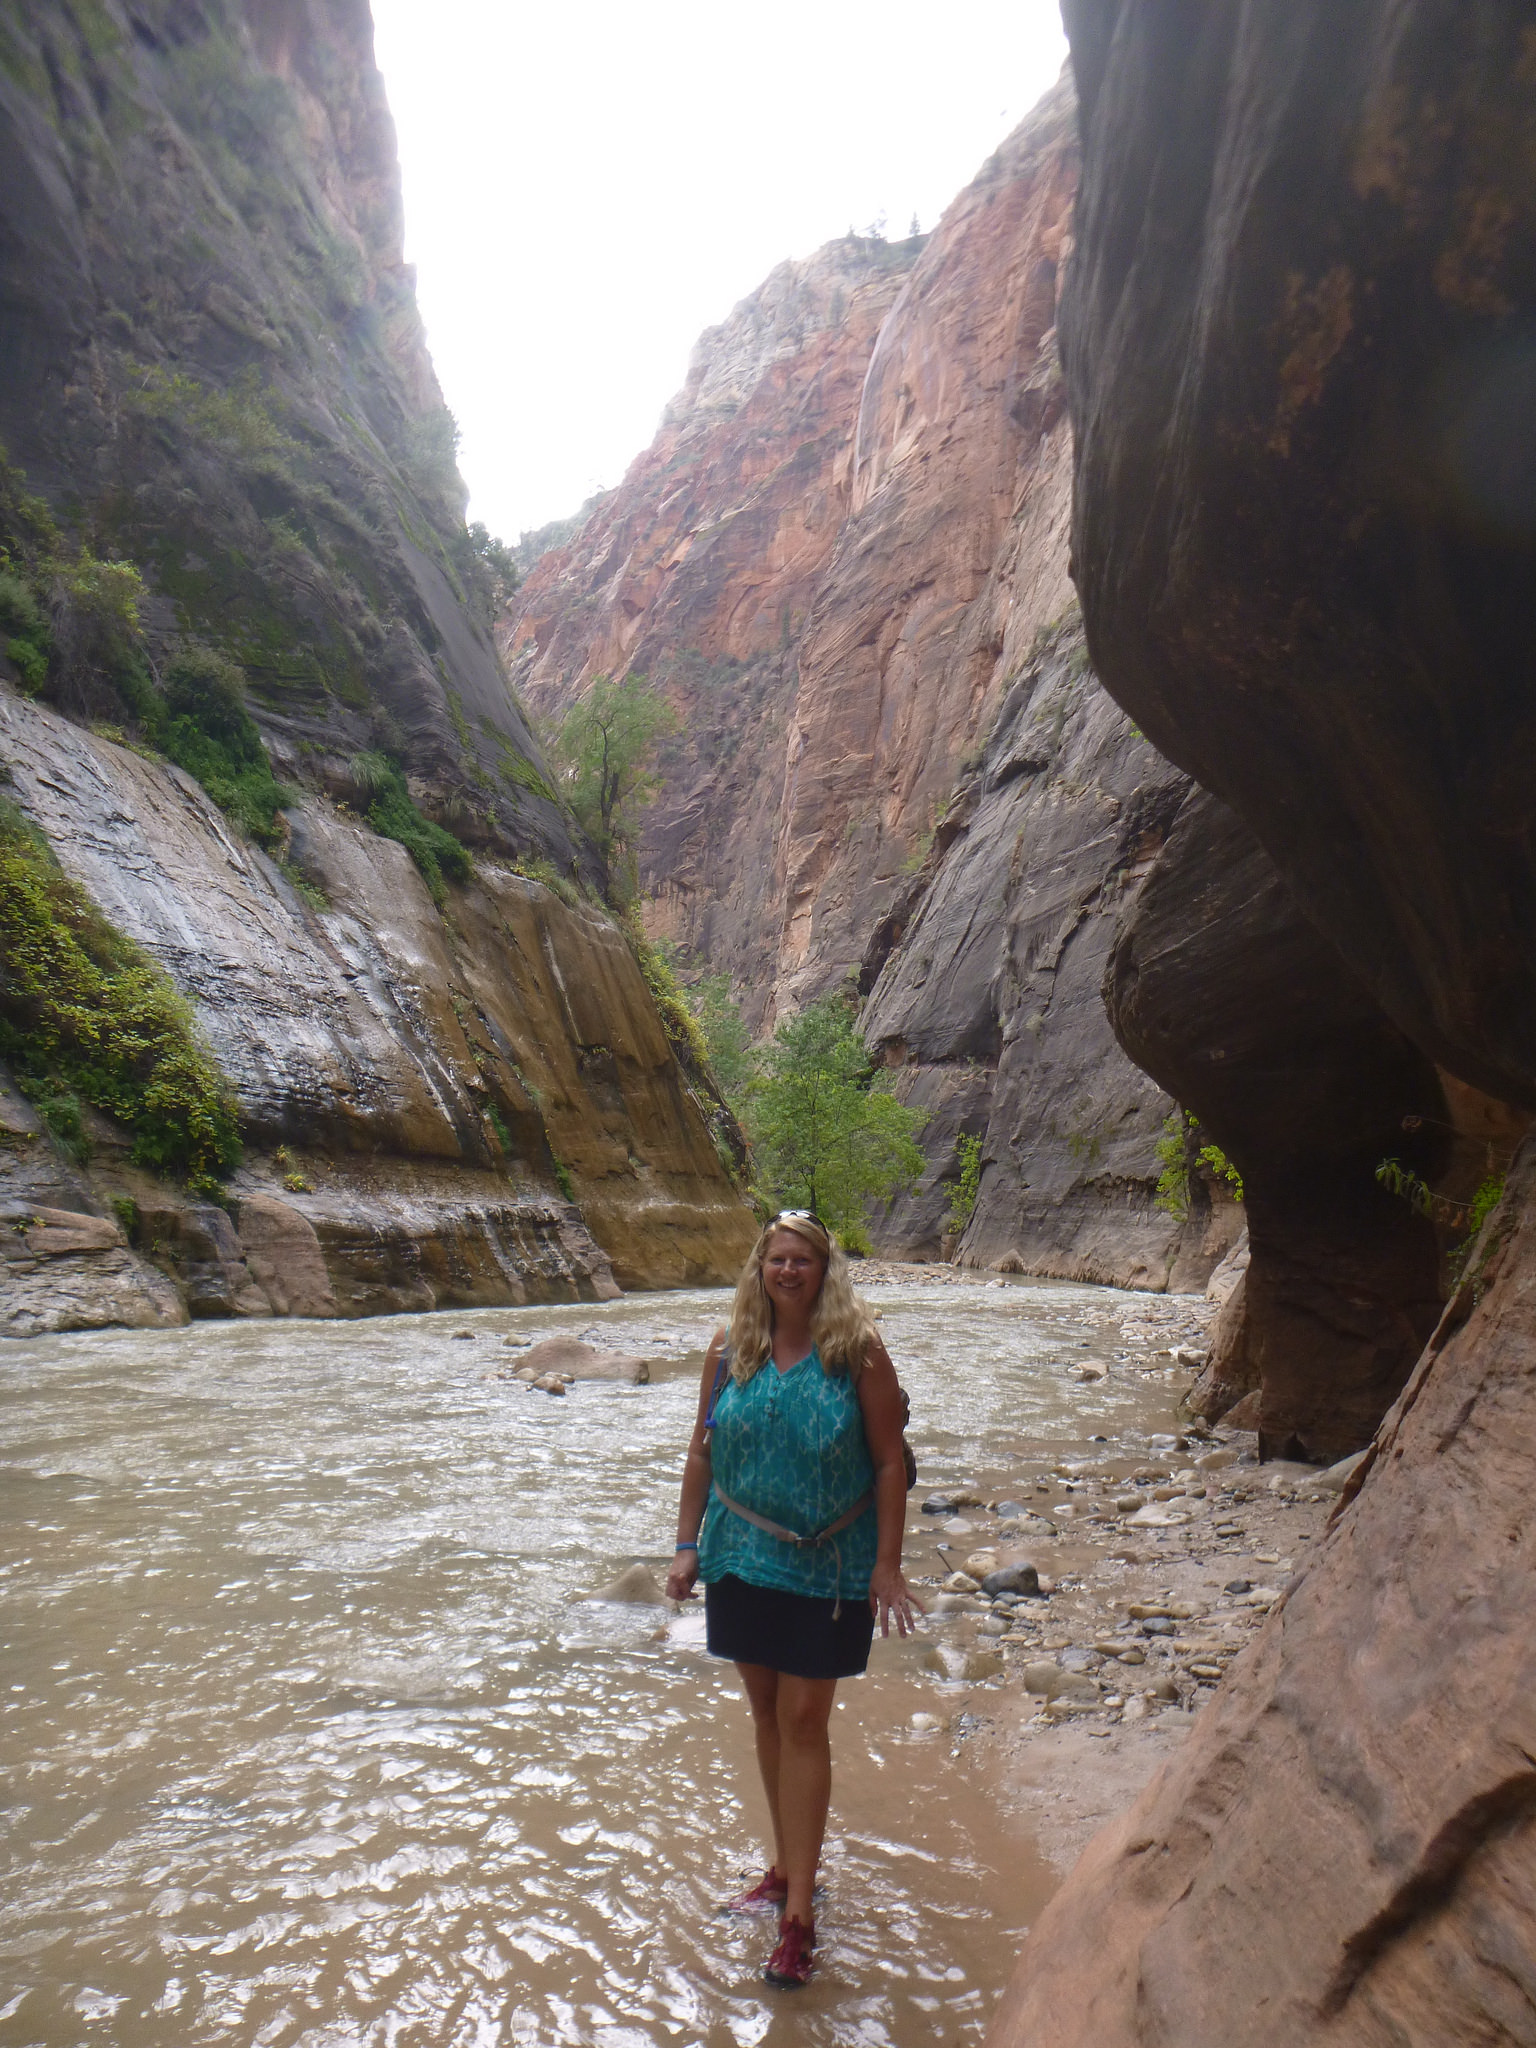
{"x": 409, "y": 1082}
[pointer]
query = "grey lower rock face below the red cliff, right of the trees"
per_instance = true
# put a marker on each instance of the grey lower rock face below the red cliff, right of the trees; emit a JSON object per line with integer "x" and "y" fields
{"x": 988, "y": 1009}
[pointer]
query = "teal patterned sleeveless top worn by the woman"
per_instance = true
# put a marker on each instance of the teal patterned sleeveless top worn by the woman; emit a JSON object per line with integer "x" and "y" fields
{"x": 792, "y": 1447}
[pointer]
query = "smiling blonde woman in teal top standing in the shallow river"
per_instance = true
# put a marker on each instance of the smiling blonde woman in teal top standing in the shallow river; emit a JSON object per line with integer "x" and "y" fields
{"x": 794, "y": 1508}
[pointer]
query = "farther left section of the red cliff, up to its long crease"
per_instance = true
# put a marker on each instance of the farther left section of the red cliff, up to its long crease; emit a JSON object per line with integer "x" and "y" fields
{"x": 701, "y": 570}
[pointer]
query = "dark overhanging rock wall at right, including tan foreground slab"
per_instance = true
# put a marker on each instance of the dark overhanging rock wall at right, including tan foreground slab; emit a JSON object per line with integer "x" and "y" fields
{"x": 1297, "y": 341}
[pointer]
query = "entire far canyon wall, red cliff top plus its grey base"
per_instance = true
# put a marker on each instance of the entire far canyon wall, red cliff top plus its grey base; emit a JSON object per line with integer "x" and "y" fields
{"x": 845, "y": 560}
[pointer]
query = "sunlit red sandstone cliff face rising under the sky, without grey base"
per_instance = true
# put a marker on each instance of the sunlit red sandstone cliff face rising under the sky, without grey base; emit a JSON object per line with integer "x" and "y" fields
{"x": 845, "y": 538}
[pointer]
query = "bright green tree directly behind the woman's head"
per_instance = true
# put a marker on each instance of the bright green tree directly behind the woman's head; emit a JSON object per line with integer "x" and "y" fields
{"x": 826, "y": 1132}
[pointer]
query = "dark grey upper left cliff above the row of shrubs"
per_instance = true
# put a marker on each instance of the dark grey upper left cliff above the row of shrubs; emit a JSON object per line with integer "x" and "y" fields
{"x": 212, "y": 357}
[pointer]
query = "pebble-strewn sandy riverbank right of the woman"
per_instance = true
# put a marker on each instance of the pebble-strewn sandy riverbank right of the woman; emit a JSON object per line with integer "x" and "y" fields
{"x": 1156, "y": 1574}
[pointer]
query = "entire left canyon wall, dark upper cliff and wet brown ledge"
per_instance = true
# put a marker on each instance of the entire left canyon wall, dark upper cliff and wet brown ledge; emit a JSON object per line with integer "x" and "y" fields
{"x": 216, "y": 402}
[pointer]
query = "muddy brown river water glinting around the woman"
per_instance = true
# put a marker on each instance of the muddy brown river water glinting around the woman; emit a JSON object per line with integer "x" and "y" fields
{"x": 308, "y": 1744}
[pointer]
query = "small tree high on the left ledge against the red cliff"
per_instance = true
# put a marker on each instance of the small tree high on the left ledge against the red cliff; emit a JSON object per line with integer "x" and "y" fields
{"x": 605, "y": 746}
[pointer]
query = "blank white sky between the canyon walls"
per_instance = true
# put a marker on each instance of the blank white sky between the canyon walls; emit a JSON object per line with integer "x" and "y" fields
{"x": 591, "y": 185}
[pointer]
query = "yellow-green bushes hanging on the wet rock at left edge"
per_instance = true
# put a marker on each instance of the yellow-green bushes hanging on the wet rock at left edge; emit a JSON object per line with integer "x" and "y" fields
{"x": 87, "y": 1015}
